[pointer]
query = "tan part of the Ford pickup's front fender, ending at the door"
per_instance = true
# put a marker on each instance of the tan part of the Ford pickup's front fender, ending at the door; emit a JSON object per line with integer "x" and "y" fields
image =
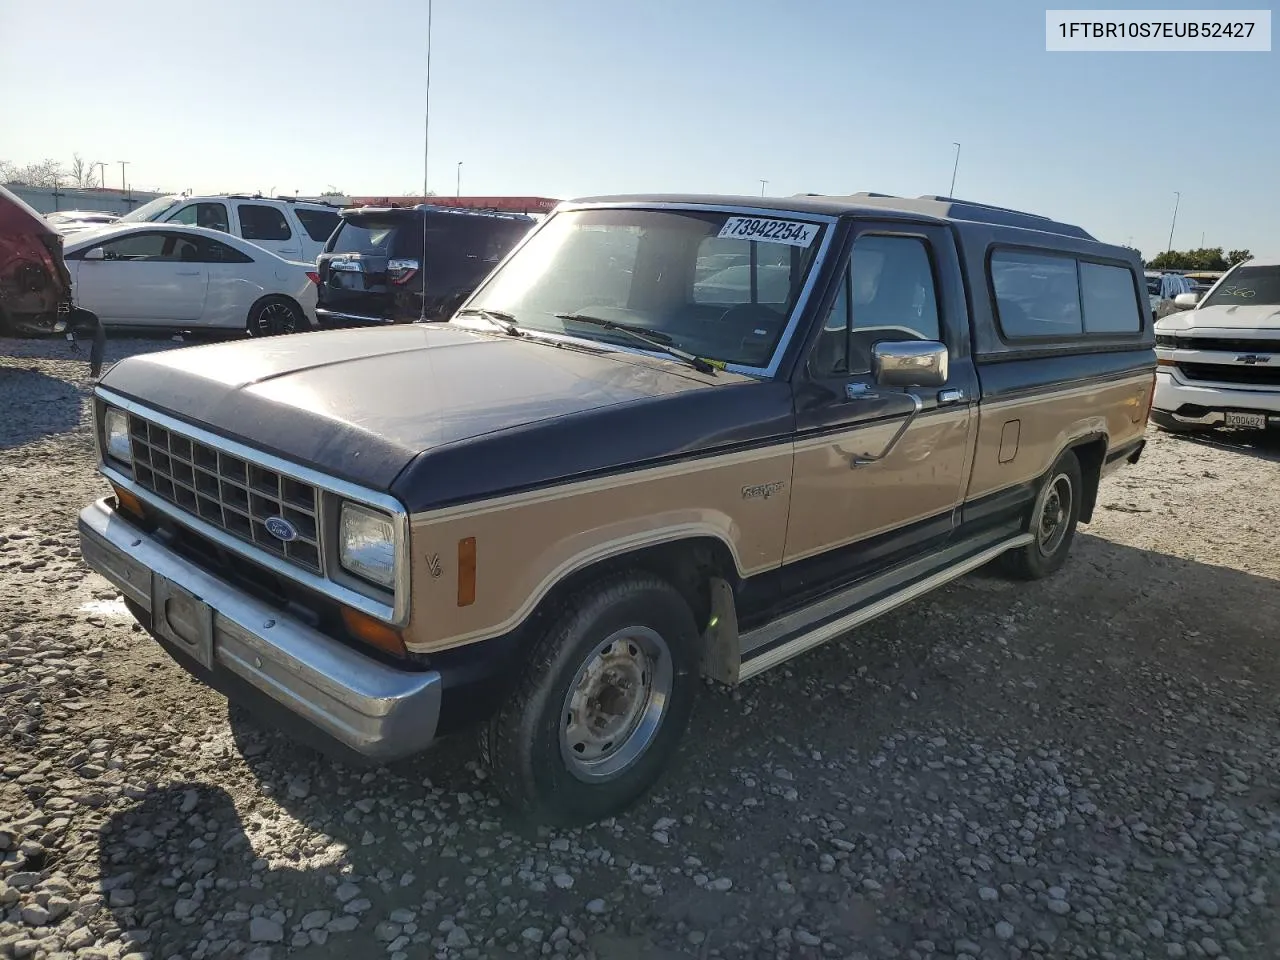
{"x": 527, "y": 543}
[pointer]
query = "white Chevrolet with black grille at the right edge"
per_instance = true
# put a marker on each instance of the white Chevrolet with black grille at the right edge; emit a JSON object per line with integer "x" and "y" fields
{"x": 1219, "y": 363}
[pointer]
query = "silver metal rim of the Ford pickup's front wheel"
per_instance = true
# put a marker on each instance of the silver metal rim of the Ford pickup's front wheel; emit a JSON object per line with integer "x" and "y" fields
{"x": 616, "y": 705}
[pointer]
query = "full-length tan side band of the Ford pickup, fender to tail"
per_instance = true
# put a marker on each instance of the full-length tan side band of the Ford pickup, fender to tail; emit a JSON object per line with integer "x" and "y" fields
{"x": 770, "y": 506}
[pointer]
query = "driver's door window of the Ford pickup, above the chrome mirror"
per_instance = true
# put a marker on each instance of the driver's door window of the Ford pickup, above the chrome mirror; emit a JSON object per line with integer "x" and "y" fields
{"x": 886, "y": 294}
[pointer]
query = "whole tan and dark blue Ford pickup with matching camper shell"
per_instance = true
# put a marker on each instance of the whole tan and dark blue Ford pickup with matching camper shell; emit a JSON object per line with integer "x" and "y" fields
{"x": 607, "y": 477}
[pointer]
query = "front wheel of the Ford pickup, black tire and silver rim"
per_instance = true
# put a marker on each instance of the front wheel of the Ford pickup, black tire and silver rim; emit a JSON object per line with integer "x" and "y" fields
{"x": 601, "y": 708}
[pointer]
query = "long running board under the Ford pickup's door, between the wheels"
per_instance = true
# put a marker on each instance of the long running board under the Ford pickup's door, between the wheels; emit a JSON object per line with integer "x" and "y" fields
{"x": 828, "y": 630}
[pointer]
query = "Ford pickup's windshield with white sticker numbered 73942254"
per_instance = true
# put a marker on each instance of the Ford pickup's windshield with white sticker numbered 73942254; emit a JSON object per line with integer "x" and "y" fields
{"x": 716, "y": 285}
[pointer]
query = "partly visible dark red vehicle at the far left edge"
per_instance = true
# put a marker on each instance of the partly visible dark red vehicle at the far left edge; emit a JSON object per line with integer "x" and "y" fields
{"x": 35, "y": 286}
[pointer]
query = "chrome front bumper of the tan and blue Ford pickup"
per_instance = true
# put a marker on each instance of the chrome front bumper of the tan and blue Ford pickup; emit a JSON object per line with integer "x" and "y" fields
{"x": 380, "y": 712}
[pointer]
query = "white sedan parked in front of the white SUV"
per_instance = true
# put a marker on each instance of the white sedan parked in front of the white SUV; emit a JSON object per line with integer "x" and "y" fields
{"x": 145, "y": 275}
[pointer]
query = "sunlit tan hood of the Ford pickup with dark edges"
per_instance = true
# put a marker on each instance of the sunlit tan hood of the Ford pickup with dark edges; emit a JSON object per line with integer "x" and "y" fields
{"x": 362, "y": 405}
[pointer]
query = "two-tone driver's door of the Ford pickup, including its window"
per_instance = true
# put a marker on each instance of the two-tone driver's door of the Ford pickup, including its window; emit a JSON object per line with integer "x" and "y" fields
{"x": 899, "y": 282}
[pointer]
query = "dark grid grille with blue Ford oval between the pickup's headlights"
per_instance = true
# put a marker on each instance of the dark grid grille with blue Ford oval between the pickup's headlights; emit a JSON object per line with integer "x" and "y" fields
{"x": 234, "y": 495}
